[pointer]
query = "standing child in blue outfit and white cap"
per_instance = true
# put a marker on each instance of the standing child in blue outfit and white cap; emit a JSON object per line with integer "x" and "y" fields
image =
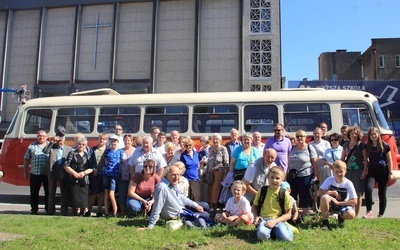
{"x": 113, "y": 156}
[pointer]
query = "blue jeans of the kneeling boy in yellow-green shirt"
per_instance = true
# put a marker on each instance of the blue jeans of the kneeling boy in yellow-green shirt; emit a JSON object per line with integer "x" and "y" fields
{"x": 281, "y": 230}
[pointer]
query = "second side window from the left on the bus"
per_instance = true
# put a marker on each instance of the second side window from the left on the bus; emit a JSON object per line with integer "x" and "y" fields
{"x": 75, "y": 120}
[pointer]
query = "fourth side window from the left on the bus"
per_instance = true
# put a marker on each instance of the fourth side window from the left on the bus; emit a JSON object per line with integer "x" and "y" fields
{"x": 166, "y": 118}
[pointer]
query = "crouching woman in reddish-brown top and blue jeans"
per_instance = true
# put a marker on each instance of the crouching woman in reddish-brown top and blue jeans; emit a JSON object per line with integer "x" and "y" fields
{"x": 141, "y": 188}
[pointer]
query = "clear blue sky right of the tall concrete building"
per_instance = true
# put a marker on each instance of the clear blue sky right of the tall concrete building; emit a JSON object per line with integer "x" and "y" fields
{"x": 312, "y": 27}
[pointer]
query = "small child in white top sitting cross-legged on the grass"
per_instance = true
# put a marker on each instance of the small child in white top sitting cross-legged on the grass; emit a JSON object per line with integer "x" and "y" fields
{"x": 237, "y": 208}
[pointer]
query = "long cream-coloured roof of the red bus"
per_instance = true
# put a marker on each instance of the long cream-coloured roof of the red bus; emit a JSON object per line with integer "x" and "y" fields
{"x": 293, "y": 95}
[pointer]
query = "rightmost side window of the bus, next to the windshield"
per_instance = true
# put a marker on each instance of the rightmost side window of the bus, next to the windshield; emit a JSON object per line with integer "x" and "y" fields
{"x": 357, "y": 114}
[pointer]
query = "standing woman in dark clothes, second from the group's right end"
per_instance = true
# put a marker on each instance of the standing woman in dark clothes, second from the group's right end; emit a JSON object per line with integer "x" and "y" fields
{"x": 355, "y": 155}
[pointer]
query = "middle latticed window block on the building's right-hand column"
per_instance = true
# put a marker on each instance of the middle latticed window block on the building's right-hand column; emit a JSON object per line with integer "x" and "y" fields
{"x": 260, "y": 59}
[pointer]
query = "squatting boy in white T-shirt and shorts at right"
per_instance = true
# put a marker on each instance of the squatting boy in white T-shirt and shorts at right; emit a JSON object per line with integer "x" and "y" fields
{"x": 339, "y": 193}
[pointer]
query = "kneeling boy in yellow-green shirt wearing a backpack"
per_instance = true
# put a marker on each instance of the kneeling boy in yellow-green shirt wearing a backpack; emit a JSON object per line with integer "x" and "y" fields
{"x": 271, "y": 217}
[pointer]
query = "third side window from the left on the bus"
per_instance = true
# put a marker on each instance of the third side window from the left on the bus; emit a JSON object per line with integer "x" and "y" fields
{"x": 127, "y": 117}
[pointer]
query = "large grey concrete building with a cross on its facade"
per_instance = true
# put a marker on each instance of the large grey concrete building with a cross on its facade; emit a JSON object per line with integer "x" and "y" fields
{"x": 138, "y": 46}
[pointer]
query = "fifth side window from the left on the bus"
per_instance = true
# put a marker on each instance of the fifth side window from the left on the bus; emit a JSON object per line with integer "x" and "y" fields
{"x": 215, "y": 118}
